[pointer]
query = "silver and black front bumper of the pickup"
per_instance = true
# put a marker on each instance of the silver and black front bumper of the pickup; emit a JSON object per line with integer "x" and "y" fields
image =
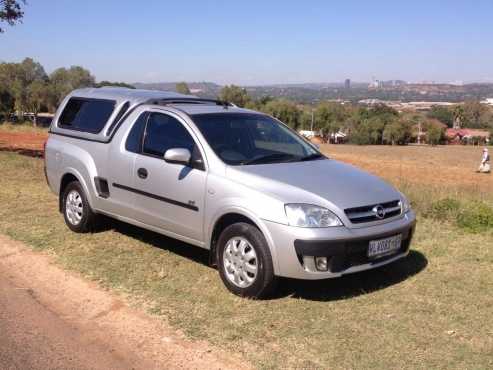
{"x": 345, "y": 248}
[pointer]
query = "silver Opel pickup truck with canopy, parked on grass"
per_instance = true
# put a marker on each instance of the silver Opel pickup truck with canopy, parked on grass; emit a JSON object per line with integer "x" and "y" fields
{"x": 263, "y": 200}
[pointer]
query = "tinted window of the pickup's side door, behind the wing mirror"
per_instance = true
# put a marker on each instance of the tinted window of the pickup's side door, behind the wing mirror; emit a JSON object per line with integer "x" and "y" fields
{"x": 164, "y": 132}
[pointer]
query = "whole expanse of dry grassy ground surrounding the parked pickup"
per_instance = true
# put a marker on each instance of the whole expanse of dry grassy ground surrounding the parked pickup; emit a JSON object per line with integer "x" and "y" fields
{"x": 430, "y": 310}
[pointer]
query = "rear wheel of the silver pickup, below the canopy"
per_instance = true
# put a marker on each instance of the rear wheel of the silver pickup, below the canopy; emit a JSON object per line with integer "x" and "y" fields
{"x": 77, "y": 212}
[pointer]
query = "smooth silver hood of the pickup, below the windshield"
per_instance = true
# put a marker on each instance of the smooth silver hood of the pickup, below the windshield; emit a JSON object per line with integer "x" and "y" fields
{"x": 316, "y": 182}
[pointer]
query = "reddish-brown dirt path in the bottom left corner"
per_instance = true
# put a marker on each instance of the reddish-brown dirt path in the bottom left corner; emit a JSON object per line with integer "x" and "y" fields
{"x": 50, "y": 318}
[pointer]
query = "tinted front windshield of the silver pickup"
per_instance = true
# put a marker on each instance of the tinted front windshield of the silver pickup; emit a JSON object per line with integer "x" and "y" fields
{"x": 243, "y": 138}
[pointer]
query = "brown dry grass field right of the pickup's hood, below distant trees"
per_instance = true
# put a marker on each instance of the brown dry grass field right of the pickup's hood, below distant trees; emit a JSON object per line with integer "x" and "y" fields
{"x": 452, "y": 168}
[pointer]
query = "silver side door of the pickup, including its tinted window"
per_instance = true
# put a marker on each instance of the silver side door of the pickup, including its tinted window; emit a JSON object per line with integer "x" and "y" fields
{"x": 169, "y": 196}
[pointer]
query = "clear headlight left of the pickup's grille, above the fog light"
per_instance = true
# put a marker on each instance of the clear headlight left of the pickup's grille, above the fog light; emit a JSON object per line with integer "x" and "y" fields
{"x": 307, "y": 215}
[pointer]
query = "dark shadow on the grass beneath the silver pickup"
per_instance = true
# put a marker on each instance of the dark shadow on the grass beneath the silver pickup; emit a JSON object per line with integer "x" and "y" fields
{"x": 345, "y": 287}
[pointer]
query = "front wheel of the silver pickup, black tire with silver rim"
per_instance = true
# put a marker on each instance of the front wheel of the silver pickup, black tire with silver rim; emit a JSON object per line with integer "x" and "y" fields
{"x": 245, "y": 262}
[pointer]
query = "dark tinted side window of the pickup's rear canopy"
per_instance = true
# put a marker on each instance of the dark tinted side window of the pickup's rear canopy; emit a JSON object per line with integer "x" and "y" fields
{"x": 88, "y": 115}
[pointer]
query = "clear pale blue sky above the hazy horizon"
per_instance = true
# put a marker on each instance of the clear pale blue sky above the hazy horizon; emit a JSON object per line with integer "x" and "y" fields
{"x": 259, "y": 42}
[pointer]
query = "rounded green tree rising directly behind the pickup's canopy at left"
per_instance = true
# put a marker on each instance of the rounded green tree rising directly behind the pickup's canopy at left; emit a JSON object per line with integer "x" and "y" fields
{"x": 65, "y": 80}
